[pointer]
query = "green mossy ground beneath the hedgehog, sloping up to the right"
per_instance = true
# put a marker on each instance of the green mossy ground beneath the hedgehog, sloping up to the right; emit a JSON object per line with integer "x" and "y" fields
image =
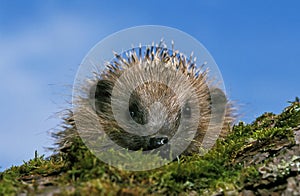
{"x": 238, "y": 162}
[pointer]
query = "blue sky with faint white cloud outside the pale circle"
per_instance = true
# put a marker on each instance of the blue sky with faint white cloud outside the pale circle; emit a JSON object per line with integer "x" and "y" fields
{"x": 256, "y": 45}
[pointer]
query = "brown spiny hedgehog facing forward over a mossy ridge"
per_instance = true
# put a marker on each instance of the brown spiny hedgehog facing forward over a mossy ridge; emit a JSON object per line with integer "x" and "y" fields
{"x": 143, "y": 97}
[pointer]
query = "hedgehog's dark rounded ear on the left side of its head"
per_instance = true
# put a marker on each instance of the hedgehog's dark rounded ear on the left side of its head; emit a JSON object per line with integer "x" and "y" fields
{"x": 100, "y": 94}
